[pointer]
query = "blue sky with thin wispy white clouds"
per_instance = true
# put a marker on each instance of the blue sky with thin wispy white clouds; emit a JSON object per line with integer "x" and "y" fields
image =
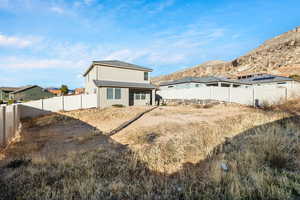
{"x": 50, "y": 43}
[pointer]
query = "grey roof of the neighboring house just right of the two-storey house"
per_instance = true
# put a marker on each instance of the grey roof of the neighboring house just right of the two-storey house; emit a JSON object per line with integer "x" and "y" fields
{"x": 204, "y": 79}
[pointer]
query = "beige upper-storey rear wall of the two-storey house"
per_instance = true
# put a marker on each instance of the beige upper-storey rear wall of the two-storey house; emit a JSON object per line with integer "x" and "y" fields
{"x": 119, "y": 74}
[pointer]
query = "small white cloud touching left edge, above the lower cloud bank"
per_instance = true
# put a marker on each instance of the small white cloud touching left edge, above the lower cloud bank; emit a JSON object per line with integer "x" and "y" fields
{"x": 16, "y": 42}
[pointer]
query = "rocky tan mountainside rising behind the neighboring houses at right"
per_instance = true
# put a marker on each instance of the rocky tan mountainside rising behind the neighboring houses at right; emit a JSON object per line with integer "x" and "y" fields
{"x": 279, "y": 55}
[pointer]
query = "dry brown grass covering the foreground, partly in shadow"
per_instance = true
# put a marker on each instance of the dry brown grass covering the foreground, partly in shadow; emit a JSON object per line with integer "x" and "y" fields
{"x": 174, "y": 161}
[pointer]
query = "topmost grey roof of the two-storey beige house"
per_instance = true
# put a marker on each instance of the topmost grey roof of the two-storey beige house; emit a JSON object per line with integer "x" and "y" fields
{"x": 117, "y": 64}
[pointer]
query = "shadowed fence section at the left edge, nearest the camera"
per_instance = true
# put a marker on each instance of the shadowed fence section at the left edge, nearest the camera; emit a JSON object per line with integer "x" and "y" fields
{"x": 9, "y": 123}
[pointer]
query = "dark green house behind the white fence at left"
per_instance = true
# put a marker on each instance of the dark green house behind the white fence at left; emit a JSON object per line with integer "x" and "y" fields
{"x": 34, "y": 93}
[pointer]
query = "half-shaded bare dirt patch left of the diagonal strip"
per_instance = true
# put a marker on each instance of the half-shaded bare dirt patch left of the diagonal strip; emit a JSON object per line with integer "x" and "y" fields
{"x": 58, "y": 135}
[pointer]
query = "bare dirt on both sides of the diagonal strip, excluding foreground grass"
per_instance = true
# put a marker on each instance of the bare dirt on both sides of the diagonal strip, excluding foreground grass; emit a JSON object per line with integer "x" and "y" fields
{"x": 59, "y": 135}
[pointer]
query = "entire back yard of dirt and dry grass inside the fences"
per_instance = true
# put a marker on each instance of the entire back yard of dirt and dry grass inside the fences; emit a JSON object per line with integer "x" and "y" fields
{"x": 174, "y": 152}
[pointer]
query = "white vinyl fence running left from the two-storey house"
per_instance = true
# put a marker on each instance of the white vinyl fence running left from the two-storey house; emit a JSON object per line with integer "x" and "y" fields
{"x": 55, "y": 104}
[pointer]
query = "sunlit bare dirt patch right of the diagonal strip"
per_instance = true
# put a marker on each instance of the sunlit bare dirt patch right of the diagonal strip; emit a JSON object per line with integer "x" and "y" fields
{"x": 181, "y": 116}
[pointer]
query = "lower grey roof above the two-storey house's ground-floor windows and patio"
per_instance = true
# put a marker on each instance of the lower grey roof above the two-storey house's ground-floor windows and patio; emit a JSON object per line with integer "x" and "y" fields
{"x": 123, "y": 84}
